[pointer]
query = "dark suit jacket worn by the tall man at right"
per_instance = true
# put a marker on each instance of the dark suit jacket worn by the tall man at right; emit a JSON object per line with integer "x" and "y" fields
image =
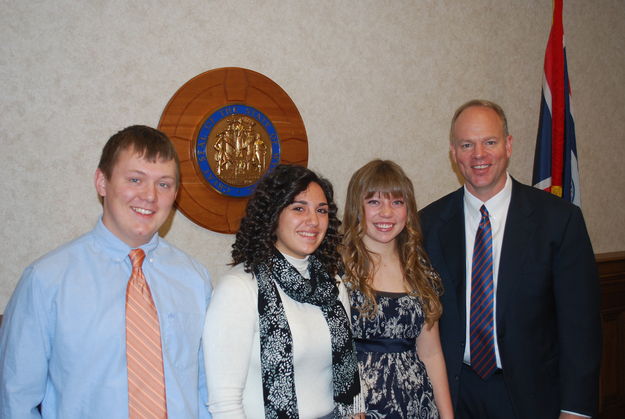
{"x": 548, "y": 325}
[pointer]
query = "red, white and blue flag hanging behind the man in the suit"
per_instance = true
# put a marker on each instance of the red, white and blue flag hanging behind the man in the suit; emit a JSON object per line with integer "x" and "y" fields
{"x": 555, "y": 158}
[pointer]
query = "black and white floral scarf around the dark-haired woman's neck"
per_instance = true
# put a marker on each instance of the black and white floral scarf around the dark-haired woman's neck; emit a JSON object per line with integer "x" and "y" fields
{"x": 276, "y": 342}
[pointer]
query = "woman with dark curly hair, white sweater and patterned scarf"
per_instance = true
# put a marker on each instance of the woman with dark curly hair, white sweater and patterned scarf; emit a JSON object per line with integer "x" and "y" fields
{"x": 277, "y": 338}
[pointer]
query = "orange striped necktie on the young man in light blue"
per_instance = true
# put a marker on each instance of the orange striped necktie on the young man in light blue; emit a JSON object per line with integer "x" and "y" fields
{"x": 146, "y": 379}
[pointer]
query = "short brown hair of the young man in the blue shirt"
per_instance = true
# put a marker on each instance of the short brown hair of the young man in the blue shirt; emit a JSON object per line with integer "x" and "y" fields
{"x": 148, "y": 142}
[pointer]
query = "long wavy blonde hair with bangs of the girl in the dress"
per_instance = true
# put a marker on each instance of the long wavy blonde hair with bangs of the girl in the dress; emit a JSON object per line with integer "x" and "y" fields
{"x": 388, "y": 178}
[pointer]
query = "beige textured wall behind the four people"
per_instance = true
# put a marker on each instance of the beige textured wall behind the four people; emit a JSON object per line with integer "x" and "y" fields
{"x": 370, "y": 78}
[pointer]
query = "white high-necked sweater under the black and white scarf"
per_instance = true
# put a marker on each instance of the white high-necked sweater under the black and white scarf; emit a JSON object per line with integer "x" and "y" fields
{"x": 232, "y": 349}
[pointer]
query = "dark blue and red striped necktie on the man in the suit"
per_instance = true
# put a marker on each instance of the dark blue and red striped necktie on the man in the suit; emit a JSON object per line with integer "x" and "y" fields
{"x": 483, "y": 359}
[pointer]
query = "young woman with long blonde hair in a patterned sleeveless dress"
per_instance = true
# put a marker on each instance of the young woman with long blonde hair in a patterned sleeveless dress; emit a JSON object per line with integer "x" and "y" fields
{"x": 394, "y": 293}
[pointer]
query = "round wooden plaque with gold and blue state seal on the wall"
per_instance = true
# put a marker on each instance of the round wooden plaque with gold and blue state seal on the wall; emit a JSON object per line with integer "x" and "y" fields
{"x": 230, "y": 126}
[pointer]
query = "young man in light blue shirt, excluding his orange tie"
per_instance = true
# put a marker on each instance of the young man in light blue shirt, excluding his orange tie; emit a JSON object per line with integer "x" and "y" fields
{"x": 63, "y": 351}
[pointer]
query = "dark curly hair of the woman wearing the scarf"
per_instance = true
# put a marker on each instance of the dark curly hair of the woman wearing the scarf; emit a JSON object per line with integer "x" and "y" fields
{"x": 254, "y": 243}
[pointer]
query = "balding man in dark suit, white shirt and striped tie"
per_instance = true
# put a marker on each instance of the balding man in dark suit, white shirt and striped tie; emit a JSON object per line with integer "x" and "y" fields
{"x": 520, "y": 328}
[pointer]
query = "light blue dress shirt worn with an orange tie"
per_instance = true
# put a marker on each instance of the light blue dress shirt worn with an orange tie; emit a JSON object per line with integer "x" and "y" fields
{"x": 63, "y": 337}
